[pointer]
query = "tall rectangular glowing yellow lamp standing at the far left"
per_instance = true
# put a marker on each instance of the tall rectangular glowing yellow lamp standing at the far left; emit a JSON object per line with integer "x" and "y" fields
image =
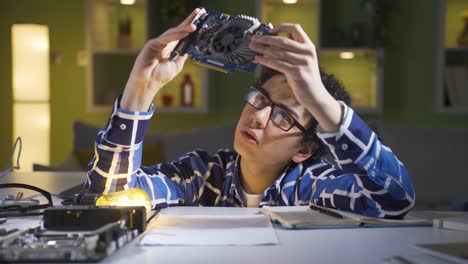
{"x": 31, "y": 108}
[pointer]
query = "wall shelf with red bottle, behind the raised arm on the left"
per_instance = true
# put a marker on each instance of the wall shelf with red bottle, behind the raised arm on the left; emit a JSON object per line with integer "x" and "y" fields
{"x": 115, "y": 35}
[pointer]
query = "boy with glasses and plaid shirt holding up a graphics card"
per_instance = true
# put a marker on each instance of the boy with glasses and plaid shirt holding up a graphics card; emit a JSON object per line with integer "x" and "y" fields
{"x": 294, "y": 113}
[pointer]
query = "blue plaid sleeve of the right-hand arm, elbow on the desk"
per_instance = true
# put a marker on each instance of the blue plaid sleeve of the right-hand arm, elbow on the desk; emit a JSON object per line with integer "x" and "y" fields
{"x": 369, "y": 179}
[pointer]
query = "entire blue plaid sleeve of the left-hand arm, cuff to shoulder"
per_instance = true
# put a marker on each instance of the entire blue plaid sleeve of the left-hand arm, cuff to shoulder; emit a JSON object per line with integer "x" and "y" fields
{"x": 116, "y": 165}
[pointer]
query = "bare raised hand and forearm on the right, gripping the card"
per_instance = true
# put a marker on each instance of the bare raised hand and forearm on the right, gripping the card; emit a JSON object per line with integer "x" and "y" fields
{"x": 296, "y": 57}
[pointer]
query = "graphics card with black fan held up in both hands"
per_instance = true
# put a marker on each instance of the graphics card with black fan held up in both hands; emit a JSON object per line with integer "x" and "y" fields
{"x": 222, "y": 41}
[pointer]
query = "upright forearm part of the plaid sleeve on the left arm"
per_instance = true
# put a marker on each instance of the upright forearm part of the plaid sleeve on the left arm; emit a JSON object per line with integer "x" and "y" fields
{"x": 117, "y": 150}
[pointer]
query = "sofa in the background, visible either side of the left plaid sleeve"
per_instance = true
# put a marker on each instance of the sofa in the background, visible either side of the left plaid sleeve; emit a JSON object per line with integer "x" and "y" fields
{"x": 157, "y": 148}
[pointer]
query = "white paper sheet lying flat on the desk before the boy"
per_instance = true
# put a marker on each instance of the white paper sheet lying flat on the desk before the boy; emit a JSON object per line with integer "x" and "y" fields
{"x": 211, "y": 230}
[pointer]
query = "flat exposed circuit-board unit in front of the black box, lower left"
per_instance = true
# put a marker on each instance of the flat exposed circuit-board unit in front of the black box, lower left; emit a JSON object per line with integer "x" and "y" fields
{"x": 38, "y": 245}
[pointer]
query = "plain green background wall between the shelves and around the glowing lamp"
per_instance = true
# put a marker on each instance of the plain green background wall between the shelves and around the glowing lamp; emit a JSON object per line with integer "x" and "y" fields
{"x": 409, "y": 84}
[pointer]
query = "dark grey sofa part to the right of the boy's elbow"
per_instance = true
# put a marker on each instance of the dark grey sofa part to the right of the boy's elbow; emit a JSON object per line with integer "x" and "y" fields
{"x": 436, "y": 158}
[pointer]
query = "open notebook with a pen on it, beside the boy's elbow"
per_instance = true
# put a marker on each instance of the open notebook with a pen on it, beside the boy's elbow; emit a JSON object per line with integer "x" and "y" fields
{"x": 301, "y": 217}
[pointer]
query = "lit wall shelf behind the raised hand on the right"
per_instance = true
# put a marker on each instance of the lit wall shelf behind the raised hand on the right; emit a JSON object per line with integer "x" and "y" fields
{"x": 344, "y": 37}
